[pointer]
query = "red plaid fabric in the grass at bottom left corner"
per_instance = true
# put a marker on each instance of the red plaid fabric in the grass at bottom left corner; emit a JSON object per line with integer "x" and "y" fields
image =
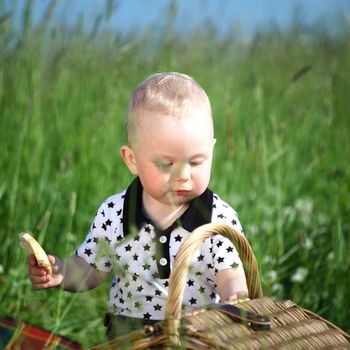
{"x": 21, "y": 336}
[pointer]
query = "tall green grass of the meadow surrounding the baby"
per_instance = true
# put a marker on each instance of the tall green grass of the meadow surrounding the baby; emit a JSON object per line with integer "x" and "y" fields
{"x": 281, "y": 112}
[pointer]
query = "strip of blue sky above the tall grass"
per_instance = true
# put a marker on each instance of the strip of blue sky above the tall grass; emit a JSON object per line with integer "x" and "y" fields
{"x": 245, "y": 15}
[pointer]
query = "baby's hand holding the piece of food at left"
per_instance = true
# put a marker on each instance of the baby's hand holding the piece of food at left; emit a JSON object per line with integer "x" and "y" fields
{"x": 40, "y": 278}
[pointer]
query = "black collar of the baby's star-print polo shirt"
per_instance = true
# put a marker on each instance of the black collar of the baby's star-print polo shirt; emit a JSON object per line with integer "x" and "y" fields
{"x": 198, "y": 213}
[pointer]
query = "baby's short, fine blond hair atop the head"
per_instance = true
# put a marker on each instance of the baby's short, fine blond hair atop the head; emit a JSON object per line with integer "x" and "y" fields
{"x": 169, "y": 93}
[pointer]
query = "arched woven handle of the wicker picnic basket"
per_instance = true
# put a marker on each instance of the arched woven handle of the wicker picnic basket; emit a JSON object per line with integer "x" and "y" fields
{"x": 183, "y": 260}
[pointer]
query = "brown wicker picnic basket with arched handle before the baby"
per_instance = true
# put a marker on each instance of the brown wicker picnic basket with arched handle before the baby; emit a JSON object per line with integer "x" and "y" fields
{"x": 260, "y": 323}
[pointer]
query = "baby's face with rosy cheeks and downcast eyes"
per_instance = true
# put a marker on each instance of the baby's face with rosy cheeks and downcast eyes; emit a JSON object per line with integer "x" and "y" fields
{"x": 172, "y": 156}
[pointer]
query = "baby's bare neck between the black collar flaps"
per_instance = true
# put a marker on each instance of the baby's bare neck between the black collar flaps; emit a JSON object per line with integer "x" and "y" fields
{"x": 161, "y": 214}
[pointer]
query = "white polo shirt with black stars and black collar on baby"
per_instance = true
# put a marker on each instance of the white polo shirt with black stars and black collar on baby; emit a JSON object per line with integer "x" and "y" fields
{"x": 122, "y": 239}
